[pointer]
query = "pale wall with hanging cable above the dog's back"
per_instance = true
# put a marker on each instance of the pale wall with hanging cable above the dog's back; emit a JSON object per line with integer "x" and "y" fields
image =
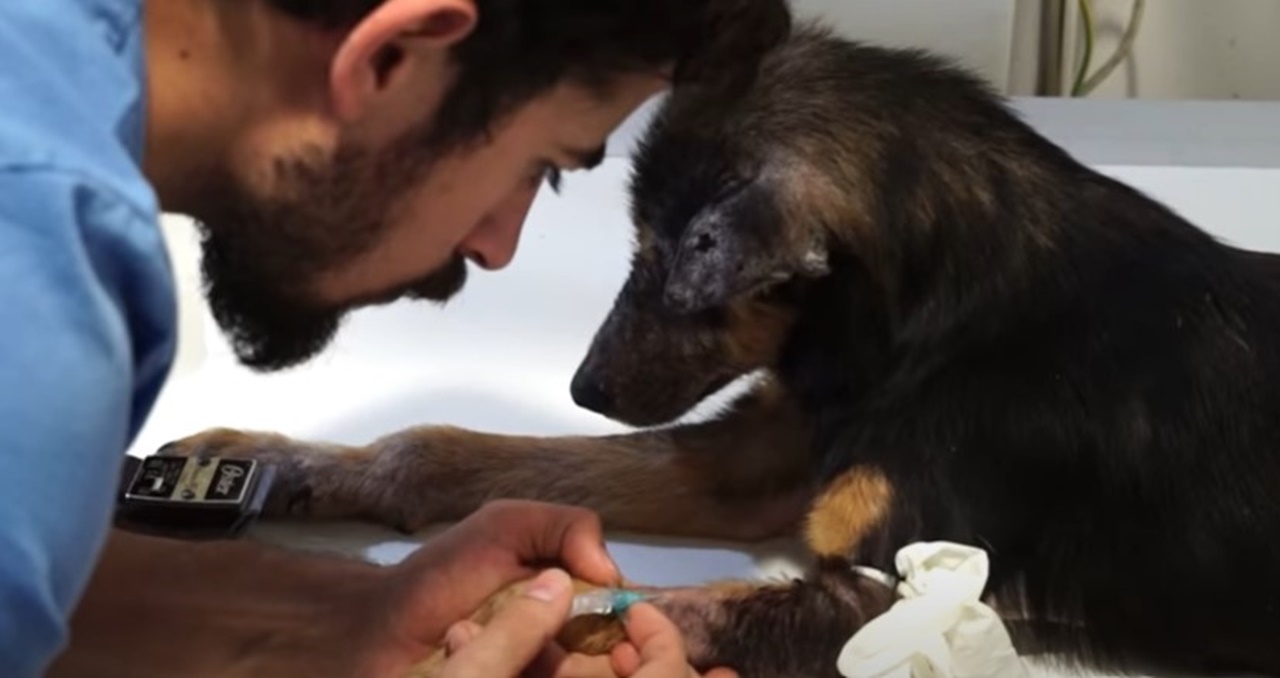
{"x": 1187, "y": 49}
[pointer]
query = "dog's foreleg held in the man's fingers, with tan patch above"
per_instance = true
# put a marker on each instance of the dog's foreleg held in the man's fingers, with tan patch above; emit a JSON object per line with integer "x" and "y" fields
{"x": 762, "y": 630}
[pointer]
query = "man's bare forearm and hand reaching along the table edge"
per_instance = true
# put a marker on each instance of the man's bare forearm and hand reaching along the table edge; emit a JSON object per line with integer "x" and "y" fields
{"x": 239, "y": 608}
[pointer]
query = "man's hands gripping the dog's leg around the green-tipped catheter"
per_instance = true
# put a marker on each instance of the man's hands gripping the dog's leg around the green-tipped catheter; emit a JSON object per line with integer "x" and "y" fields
{"x": 501, "y": 544}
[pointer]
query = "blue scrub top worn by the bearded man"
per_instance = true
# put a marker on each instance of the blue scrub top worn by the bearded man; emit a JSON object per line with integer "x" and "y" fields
{"x": 88, "y": 306}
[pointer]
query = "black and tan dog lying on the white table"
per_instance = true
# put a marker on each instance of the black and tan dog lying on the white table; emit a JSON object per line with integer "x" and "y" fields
{"x": 966, "y": 336}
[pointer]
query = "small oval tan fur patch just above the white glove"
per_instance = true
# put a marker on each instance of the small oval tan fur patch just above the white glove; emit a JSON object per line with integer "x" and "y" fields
{"x": 847, "y": 511}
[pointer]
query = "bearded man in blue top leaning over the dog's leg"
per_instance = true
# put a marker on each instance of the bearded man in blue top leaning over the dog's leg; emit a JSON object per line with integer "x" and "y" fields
{"x": 336, "y": 153}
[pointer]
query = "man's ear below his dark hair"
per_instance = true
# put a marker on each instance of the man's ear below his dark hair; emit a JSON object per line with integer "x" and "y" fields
{"x": 382, "y": 51}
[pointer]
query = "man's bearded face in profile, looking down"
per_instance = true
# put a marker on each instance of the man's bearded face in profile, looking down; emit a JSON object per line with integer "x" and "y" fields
{"x": 296, "y": 242}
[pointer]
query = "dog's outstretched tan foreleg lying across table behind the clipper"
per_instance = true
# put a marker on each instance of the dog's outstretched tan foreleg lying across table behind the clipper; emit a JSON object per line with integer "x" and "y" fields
{"x": 742, "y": 477}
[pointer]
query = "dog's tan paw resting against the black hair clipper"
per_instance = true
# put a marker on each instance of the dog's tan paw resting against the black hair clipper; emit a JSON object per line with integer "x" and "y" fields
{"x": 299, "y": 466}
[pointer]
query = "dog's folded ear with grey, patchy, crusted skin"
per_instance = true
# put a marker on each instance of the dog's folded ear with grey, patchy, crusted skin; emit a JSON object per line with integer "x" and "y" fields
{"x": 735, "y": 246}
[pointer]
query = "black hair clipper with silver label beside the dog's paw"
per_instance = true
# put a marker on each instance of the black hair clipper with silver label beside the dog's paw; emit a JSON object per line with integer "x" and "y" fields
{"x": 191, "y": 497}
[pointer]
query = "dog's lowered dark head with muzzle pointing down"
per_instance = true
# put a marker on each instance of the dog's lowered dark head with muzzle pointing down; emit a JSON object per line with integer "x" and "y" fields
{"x": 723, "y": 260}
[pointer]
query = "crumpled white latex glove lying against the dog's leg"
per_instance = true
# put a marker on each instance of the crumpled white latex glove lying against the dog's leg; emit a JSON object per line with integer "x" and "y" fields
{"x": 940, "y": 629}
